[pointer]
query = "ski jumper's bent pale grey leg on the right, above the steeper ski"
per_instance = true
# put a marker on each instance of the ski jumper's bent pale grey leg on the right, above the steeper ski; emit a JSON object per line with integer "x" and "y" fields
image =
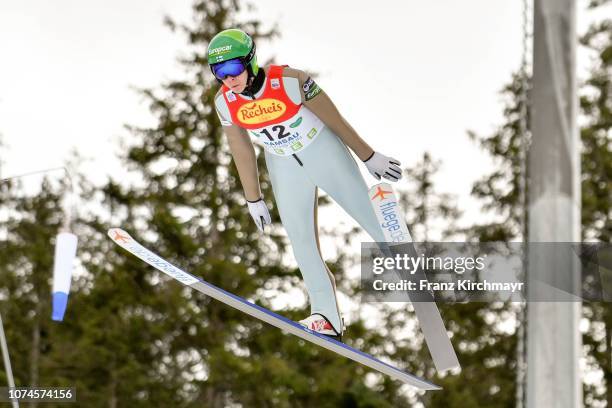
{"x": 331, "y": 167}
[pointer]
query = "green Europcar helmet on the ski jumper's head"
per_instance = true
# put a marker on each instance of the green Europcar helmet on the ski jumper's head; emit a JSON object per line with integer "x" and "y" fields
{"x": 230, "y": 44}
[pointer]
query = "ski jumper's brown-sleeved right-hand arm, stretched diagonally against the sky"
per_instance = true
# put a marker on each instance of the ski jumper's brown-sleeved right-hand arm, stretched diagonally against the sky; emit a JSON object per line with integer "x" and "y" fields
{"x": 315, "y": 99}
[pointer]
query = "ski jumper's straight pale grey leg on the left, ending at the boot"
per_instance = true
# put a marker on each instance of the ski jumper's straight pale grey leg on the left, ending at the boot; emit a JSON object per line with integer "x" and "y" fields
{"x": 296, "y": 200}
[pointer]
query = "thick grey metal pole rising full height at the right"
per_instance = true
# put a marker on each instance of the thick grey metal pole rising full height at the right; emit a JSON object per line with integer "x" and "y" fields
{"x": 553, "y": 336}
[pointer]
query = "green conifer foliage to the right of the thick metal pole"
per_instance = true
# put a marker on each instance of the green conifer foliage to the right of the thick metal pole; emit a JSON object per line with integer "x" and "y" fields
{"x": 596, "y": 136}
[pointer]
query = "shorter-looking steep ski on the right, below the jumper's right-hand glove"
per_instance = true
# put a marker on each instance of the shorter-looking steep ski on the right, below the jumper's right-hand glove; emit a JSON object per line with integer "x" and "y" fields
{"x": 386, "y": 207}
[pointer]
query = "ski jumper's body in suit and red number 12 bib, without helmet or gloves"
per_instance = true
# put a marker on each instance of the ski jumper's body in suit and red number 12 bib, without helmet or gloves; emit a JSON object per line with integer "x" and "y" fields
{"x": 292, "y": 118}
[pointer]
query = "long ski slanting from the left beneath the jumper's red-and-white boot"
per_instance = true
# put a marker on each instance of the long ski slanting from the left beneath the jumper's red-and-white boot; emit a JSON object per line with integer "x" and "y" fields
{"x": 124, "y": 240}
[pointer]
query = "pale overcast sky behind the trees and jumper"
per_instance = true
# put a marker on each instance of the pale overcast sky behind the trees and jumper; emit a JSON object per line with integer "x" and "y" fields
{"x": 410, "y": 76}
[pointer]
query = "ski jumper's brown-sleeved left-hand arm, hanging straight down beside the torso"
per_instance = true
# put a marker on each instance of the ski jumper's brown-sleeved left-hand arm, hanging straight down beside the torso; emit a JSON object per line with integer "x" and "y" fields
{"x": 244, "y": 157}
